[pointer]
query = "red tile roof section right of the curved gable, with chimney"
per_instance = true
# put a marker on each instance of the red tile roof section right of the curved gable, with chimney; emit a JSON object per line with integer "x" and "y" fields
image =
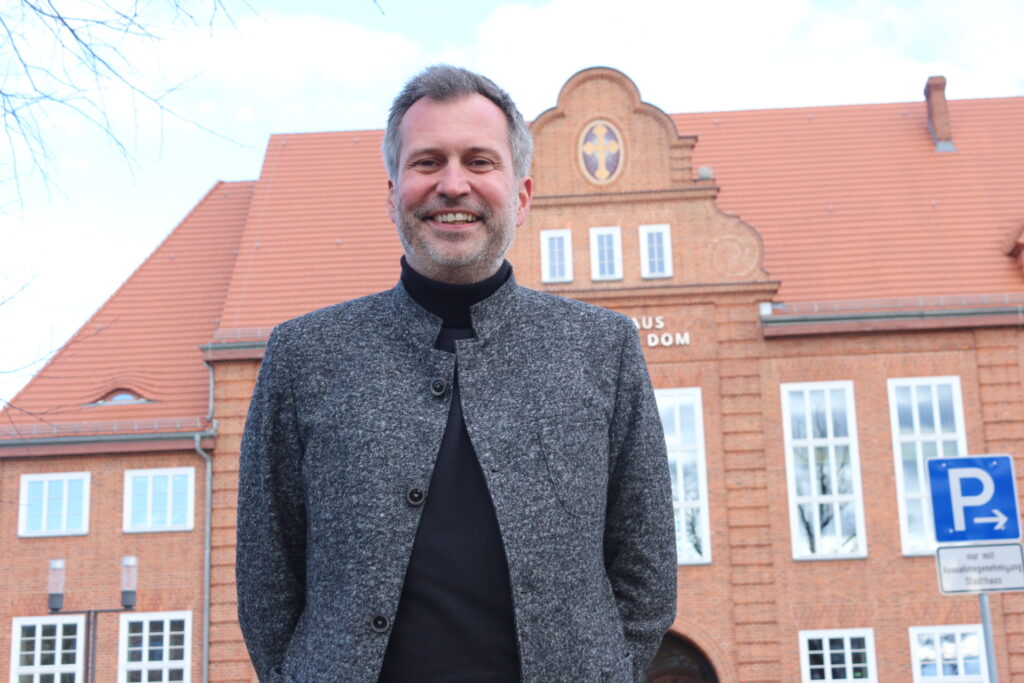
{"x": 856, "y": 203}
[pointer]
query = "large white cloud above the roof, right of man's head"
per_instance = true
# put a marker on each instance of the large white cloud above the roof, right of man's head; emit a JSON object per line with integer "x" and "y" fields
{"x": 692, "y": 57}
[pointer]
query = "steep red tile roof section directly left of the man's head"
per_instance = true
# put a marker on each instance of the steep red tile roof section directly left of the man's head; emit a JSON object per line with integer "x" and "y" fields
{"x": 318, "y": 233}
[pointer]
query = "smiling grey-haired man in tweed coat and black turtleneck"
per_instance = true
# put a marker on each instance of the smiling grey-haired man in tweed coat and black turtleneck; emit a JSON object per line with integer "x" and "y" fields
{"x": 459, "y": 480}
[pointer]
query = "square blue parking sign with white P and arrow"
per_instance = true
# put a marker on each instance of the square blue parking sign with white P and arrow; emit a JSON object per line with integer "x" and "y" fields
{"x": 974, "y": 499}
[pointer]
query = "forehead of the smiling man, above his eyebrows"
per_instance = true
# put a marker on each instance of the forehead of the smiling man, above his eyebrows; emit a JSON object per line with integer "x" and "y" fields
{"x": 473, "y": 121}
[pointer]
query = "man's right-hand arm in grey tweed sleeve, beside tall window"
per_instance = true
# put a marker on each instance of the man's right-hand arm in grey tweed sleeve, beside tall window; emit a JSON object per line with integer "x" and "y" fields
{"x": 639, "y": 534}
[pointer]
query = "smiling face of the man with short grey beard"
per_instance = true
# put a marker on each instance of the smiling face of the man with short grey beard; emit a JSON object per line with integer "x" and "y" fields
{"x": 456, "y": 201}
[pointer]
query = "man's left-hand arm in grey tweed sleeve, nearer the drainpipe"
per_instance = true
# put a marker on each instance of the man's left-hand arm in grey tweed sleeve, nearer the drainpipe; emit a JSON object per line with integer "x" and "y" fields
{"x": 272, "y": 541}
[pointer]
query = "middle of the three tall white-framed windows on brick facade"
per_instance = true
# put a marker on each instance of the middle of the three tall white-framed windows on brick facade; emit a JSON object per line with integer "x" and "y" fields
{"x": 827, "y": 513}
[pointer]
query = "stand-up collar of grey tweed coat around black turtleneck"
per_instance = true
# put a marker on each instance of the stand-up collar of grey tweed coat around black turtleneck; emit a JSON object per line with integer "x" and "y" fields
{"x": 490, "y": 316}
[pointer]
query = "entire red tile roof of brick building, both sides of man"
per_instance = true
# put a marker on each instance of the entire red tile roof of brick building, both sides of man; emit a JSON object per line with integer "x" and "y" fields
{"x": 854, "y": 203}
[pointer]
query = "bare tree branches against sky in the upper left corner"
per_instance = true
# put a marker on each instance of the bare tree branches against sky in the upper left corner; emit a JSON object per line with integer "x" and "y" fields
{"x": 73, "y": 56}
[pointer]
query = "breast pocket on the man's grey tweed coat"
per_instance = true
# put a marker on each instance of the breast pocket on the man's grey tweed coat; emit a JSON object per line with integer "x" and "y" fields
{"x": 577, "y": 456}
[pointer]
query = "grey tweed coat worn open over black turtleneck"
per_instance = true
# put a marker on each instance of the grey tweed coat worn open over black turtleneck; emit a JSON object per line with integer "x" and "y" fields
{"x": 348, "y": 418}
